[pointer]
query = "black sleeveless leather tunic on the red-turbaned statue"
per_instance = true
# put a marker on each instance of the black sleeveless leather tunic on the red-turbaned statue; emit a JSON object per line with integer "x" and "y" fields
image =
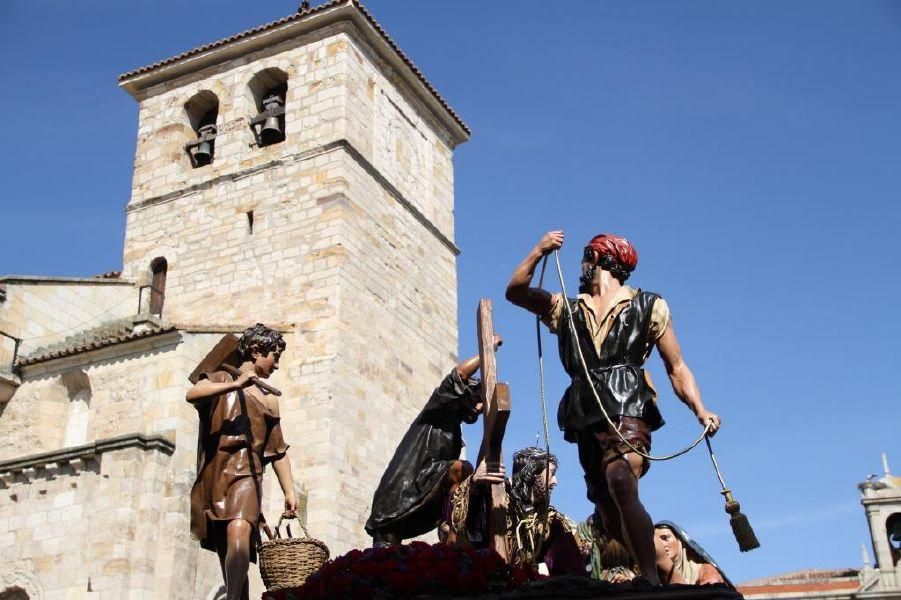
{"x": 617, "y": 372}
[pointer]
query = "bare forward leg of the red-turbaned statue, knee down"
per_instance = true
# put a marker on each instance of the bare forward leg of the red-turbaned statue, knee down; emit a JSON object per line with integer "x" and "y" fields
{"x": 635, "y": 524}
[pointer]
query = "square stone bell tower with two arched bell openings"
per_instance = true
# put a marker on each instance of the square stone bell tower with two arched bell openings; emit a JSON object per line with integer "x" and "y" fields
{"x": 300, "y": 174}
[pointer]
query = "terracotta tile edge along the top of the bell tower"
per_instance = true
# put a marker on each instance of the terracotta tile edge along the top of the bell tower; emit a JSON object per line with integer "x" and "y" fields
{"x": 296, "y": 17}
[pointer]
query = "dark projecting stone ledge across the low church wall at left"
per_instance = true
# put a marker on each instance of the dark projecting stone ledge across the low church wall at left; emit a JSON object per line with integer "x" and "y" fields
{"x": 77, "y": 458}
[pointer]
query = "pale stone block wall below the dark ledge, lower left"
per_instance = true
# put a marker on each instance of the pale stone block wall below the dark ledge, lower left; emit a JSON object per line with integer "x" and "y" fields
{"x": 87, "y": 526}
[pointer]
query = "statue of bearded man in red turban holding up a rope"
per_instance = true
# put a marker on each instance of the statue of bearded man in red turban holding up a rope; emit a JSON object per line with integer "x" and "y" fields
{"x": 616, "y": 327}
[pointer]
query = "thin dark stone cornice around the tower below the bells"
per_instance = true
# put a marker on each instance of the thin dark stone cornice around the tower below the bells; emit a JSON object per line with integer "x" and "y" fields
{"x": 341, "y": 144}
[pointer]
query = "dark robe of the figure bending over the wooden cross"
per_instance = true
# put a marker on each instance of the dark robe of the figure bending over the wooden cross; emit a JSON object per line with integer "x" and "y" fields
{"x": 411, "y": 495}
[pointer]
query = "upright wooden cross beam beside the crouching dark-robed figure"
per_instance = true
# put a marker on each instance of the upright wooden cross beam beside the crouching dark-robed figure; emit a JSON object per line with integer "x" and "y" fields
{"x": 495, "y": 413}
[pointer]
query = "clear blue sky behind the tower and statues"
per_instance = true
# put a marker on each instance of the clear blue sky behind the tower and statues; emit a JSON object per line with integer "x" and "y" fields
{"x": 750, "y": 150}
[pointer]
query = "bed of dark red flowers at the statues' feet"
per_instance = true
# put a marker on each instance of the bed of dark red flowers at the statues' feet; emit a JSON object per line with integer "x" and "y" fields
{"x": 415, "y": 569}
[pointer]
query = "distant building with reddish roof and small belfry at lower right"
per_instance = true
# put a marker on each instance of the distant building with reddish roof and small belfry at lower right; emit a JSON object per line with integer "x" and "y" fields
{"x": 881, "y": 499}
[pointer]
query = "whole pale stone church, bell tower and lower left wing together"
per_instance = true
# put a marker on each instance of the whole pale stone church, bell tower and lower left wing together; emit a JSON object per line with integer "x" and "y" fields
{"x": 299, "y": 174}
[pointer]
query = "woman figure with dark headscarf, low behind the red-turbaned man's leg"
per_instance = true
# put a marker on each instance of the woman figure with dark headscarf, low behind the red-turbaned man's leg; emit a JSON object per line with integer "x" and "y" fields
{"x": 680, "y": 559}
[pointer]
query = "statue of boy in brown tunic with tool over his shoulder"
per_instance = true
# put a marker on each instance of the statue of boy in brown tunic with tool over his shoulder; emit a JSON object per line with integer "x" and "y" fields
{"x": 240, "y": 433}
